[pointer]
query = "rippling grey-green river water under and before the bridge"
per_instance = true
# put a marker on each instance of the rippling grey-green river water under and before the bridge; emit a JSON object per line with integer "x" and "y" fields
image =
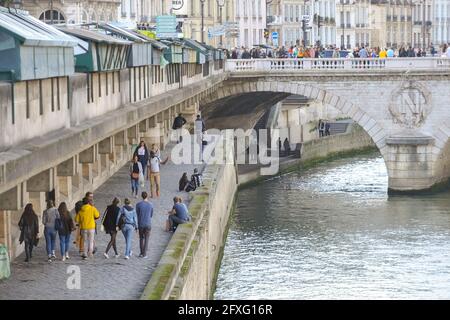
{"x": 331, "y": 232}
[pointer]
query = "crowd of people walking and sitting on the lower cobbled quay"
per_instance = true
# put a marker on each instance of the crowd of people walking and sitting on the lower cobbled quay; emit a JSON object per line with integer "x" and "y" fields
{"x": 83, "y": 224}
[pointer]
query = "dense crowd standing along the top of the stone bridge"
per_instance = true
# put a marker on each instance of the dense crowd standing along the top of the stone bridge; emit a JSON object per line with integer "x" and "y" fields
{"x": 299, "y": 52}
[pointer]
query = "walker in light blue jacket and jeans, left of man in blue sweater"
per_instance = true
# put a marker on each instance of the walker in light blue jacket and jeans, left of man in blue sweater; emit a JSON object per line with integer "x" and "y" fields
{"x": 127, "y": 222}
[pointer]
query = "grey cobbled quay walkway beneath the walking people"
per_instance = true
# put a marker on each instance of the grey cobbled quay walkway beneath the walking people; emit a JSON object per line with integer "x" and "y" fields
{"x": 100, "y": 278}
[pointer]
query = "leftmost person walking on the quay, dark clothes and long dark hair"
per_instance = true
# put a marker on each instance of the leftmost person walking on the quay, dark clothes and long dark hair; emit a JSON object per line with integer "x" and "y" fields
{"x": 29, "y": 230}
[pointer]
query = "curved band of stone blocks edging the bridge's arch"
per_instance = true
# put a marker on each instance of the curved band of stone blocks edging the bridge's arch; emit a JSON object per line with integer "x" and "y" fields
{"x": 232, "y": 88}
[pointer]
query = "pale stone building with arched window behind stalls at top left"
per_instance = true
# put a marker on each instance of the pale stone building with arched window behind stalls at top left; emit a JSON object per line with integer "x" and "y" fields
{"x": 72, "y": 11}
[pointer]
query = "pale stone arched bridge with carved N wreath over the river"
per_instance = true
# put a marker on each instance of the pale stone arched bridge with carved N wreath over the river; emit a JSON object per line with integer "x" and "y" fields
{"x": 401, "y": 103}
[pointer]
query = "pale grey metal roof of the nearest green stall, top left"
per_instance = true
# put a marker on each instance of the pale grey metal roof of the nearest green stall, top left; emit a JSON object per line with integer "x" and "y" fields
{"x": 31, "y": 31}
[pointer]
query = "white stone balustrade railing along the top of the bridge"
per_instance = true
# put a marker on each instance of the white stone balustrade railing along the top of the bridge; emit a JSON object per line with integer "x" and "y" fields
{"x": 354, "y": 64}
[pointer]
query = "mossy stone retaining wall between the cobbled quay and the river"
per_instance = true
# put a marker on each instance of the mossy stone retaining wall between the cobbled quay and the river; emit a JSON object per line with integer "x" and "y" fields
{"x": 189, "y": 265}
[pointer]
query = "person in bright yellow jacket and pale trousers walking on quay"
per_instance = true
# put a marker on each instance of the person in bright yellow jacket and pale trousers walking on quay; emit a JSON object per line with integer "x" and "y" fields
{"x": 86, "y": 219}
